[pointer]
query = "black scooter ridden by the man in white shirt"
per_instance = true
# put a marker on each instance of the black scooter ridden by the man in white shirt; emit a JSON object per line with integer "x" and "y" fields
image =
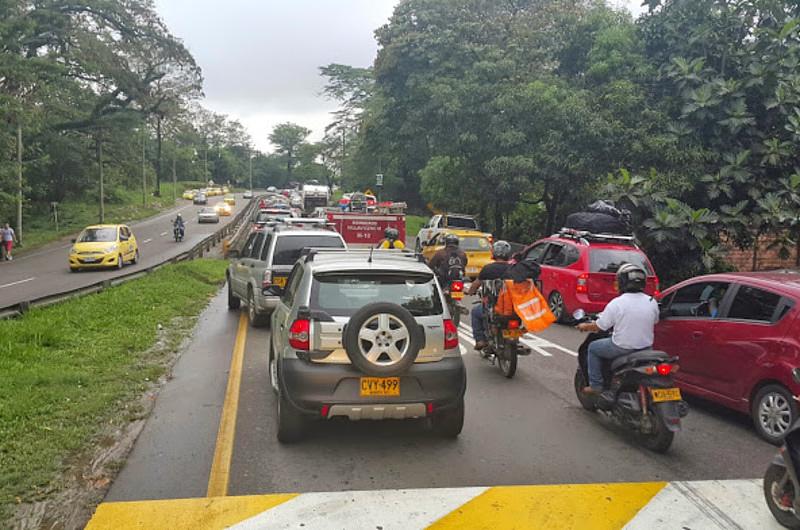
{"x": 639, "y": 391}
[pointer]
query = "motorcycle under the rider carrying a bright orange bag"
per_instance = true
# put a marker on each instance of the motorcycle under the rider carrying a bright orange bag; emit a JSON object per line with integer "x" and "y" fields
{"x": 502, "y": 332}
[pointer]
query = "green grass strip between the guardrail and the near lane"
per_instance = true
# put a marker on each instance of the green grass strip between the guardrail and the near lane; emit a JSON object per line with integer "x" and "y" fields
{"x": 69, "y": 370}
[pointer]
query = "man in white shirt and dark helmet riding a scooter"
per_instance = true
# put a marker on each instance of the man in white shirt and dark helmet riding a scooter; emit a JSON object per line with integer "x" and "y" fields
{"x": 633, "y": 315}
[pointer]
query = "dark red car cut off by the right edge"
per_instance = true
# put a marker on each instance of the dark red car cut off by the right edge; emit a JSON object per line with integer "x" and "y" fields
{"x": 738, "y": 340}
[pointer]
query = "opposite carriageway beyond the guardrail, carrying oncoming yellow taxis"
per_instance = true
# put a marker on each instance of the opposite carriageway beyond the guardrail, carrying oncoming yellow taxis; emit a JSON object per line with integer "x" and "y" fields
{"x": 46, "y": 271}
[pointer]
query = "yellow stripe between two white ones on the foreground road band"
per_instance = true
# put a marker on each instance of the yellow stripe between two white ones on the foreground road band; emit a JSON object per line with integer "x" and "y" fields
{"x": 585, "y": 506}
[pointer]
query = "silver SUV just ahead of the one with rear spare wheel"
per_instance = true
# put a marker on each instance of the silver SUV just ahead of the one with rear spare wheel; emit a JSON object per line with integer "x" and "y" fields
{"x": 257, "y": 274}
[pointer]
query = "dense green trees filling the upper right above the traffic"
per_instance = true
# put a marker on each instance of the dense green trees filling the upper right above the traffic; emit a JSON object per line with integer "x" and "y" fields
{"x": 523, "y": 111}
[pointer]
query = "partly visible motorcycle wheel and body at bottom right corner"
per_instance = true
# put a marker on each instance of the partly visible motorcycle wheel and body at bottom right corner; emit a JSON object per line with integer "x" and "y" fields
{"x": 782, "y": 481}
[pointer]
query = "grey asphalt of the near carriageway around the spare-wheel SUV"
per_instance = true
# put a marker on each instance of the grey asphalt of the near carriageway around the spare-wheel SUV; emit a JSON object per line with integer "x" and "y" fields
{"x": 527, "y": 430}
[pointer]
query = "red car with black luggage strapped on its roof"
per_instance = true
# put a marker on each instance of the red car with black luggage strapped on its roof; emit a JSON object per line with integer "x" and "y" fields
{"x": 579, "y": 269}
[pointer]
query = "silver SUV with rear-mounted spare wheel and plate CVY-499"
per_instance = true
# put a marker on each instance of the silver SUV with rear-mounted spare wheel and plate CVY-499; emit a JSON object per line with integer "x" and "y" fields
{"x": 364, "y": 335}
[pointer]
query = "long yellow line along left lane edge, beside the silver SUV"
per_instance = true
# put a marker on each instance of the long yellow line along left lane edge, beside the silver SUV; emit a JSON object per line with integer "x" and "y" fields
{"x": 221, "y": 466}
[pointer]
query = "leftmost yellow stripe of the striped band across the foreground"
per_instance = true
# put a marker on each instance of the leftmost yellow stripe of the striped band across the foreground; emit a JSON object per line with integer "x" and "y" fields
{"x": 183, "y": 514}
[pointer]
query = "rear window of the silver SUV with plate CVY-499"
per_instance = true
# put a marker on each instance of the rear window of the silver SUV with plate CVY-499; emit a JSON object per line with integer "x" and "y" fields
{"x": 344, "y": 294}
